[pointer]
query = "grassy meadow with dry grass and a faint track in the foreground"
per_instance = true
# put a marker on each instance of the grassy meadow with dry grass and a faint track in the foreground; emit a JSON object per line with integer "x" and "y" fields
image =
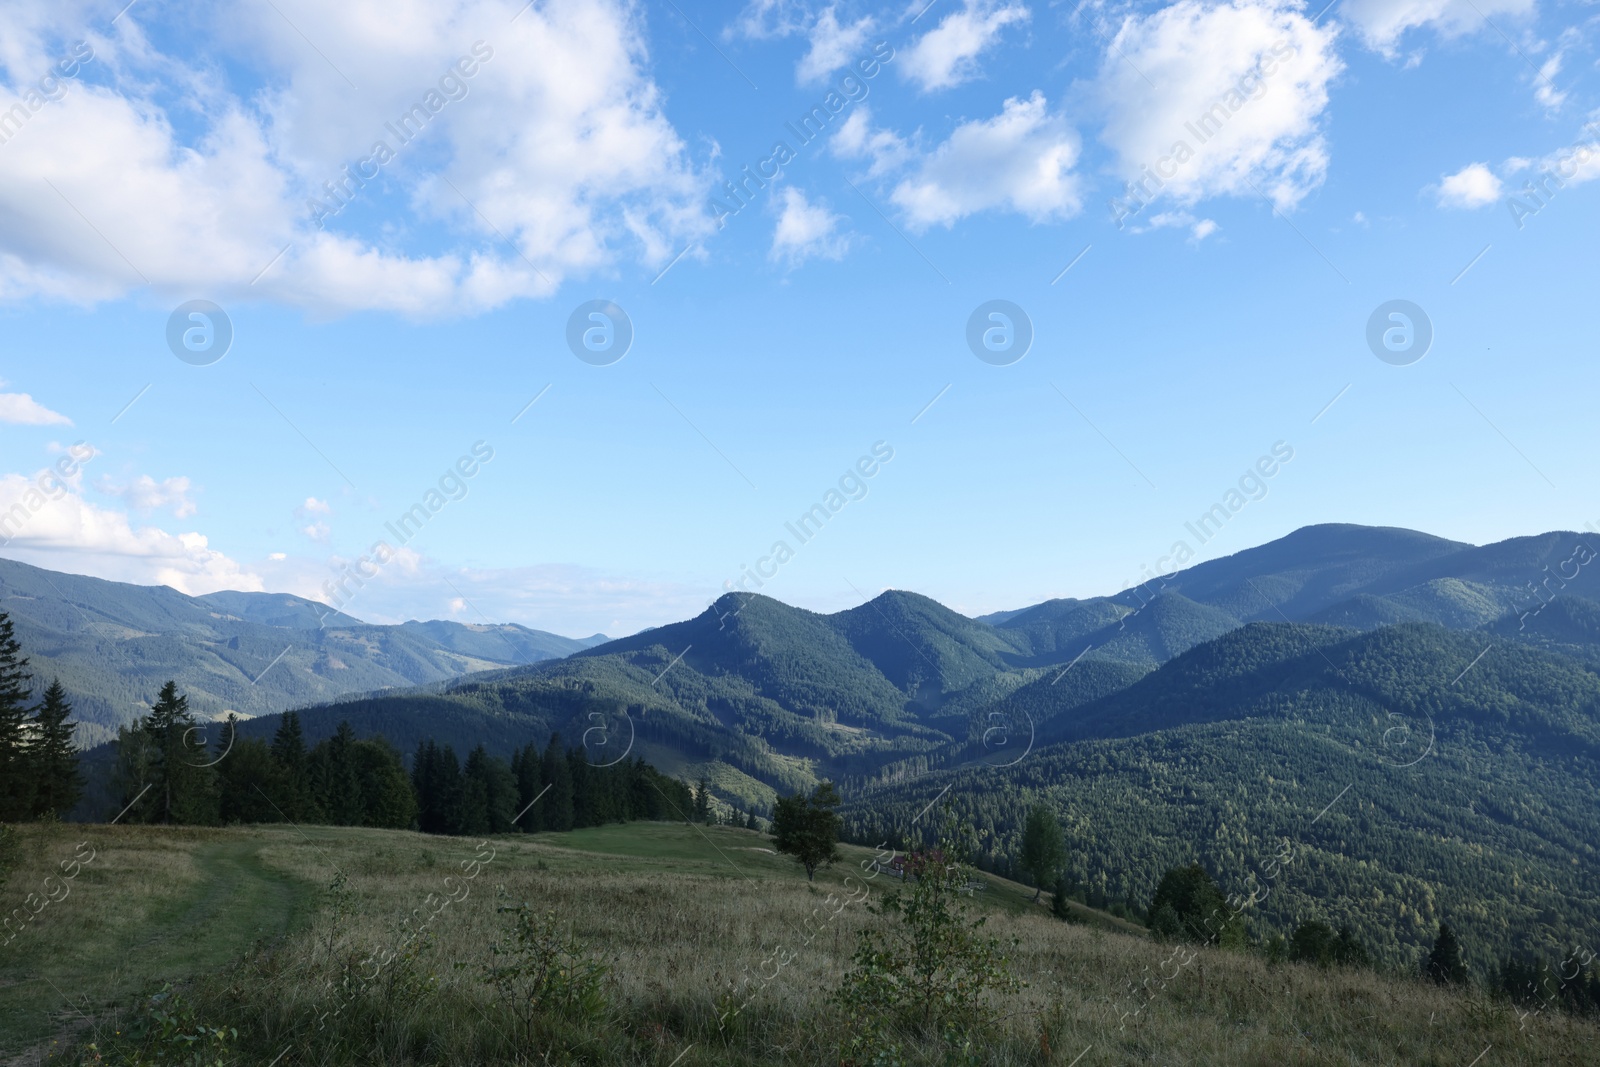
{"x": 308, "y": 945}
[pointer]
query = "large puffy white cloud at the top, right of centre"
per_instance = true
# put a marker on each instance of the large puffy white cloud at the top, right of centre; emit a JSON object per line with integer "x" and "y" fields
{"x": 1218, "y": 100}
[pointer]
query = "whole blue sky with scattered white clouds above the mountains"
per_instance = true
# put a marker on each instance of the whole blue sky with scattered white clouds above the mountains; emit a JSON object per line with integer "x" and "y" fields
{"x": 582, "y": 313}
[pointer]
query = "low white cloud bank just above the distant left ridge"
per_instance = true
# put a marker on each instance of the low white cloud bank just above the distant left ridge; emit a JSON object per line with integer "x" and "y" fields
{"x": 57, "y": 529}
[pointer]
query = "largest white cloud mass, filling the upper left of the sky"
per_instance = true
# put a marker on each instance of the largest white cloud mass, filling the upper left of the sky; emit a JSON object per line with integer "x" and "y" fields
{"x": 559, "y": 143}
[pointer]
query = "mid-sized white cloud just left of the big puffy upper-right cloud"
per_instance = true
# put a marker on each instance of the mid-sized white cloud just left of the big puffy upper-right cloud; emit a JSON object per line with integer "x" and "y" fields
{"x": 1020, "y": 161}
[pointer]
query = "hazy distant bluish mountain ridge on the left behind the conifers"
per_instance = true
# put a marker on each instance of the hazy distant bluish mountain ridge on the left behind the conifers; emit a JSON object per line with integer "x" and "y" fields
{"x": 113, "y": 645}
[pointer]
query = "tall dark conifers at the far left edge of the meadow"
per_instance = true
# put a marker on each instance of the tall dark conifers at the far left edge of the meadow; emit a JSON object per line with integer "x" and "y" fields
{"x": 39, "y": 765}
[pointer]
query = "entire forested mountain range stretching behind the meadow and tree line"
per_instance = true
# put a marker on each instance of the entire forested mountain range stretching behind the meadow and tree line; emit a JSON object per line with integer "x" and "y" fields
{"x": 1414, "y": 721}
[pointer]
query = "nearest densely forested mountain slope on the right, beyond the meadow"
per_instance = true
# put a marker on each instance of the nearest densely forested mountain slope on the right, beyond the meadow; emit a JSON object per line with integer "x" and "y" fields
{"x": 1407, "y": 775}
